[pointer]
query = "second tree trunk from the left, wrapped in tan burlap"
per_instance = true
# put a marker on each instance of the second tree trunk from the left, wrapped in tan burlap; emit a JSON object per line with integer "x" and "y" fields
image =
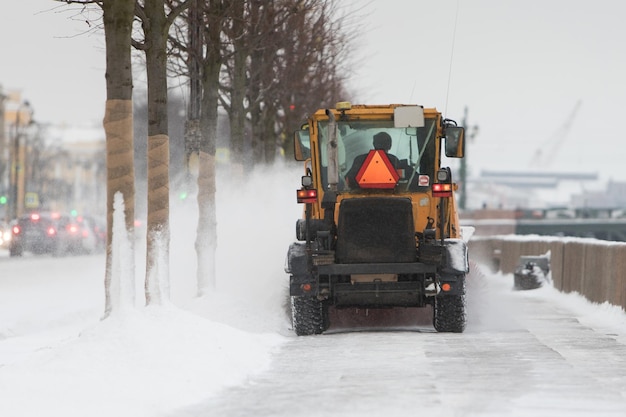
{"x": 158, "y": 233}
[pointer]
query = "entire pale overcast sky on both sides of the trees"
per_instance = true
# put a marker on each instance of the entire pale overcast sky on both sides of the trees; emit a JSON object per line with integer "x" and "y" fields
{"x": 520, "y": 68}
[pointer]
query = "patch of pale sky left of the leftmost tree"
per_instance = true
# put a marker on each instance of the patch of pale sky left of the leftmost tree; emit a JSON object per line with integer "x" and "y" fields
{"x": 49, "y": 55}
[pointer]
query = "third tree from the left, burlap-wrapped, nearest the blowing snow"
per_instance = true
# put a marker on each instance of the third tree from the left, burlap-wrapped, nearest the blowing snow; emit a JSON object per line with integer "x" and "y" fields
{"x": 199, "y": 46}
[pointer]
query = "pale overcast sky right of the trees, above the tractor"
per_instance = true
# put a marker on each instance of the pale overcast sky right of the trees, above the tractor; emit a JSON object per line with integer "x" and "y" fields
{"x": 520, "y": 68}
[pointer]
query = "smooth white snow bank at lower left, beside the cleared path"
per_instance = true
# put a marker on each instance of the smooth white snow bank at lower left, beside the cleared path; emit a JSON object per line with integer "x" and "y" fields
{"x": 143, "y": 362}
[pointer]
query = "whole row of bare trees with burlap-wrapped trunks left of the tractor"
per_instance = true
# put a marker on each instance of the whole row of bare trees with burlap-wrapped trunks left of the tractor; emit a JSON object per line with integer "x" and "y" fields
{"x": 265, "y": 62}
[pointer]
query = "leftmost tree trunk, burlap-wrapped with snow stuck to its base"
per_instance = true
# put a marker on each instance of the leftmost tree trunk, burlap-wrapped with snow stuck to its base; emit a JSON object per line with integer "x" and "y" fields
{"x": 118, "y": 126}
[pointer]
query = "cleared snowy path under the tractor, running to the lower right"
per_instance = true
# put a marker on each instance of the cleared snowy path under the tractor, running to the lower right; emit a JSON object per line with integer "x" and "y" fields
{"x": 524, "y": 354}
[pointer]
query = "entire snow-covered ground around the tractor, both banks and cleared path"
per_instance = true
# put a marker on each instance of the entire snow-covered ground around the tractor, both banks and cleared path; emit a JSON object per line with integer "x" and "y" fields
{"x": 529, "y": 353}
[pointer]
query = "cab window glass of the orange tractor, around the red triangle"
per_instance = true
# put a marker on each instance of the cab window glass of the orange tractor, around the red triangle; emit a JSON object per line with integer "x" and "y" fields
{"x": 413, "y": 148}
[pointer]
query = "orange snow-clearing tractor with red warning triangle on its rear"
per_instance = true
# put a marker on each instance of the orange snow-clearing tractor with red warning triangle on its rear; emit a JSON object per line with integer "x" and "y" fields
{"x": 380, "y": 226}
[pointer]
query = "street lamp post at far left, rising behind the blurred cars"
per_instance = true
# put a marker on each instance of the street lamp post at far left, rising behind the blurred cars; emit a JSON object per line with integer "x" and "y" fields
{"x": 18, "y": 159}
